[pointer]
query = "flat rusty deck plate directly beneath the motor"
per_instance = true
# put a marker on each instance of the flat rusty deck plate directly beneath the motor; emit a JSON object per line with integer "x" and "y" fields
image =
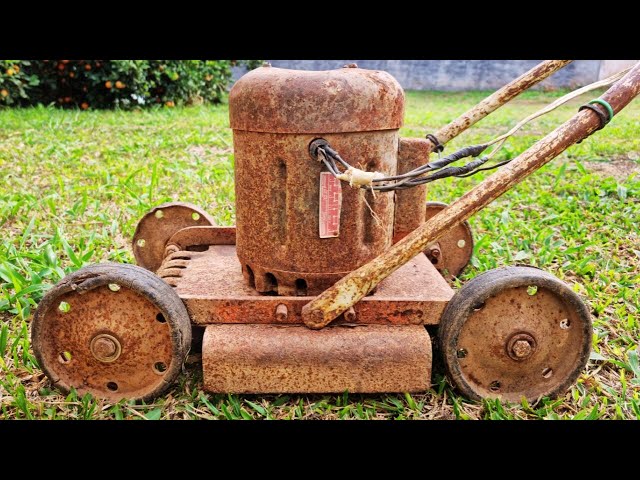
{"x": 214, "y": 291}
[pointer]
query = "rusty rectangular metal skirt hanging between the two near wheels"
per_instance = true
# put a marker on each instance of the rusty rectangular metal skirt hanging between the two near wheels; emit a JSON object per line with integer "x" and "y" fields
{"x": 291, "y": 358}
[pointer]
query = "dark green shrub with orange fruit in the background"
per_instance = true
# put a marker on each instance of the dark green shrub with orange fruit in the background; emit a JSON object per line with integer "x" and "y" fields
{"x": 114, "y": 83}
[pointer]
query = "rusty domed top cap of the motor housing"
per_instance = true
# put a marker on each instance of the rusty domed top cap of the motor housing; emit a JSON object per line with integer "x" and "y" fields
{"x": 277, "y": 100}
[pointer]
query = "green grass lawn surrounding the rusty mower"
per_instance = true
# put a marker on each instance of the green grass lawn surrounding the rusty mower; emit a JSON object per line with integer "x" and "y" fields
{"x": 73, "y": 185}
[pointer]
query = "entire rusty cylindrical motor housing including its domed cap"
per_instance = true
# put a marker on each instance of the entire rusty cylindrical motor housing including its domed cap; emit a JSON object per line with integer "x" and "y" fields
{"x": 275, "y": 114}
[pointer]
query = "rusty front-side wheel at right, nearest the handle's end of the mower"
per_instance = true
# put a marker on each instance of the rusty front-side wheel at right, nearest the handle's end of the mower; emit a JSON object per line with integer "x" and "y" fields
{"x": 515, "y": 332}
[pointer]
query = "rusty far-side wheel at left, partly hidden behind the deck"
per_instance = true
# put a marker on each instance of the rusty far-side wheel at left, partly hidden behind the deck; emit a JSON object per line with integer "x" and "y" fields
{"x": 158, "y": 226}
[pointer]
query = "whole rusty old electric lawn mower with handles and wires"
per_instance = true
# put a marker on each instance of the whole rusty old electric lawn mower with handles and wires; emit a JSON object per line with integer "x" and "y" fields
{"x": 334, "y": 269}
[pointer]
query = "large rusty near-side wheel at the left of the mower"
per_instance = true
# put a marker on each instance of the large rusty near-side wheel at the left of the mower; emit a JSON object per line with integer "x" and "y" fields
{"x": 115, "y": 331}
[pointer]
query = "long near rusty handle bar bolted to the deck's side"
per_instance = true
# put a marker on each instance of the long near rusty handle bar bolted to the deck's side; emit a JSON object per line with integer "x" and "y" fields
{"x": 323, "y": 309}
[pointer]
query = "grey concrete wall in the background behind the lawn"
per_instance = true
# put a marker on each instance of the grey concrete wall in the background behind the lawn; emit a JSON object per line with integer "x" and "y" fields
{"x": 456, "y": 74}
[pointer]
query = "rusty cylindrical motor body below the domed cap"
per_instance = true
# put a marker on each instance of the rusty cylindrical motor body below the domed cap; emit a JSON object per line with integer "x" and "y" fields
{"x": 277, "y": 209}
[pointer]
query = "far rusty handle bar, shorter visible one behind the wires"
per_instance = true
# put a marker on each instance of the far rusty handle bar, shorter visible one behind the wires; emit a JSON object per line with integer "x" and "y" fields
{"x": 499, "y": 98}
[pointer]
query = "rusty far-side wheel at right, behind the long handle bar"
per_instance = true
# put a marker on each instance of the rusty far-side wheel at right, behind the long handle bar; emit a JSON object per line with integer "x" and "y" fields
{"x": 452, "y": 253}
